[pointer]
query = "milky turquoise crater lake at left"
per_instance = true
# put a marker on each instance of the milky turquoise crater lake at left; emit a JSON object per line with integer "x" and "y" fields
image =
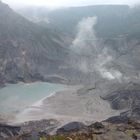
{"x": 16, "y": 97}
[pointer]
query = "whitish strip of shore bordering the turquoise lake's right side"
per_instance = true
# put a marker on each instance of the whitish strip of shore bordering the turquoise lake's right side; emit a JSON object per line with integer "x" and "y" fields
{"x": 26, "y": 115}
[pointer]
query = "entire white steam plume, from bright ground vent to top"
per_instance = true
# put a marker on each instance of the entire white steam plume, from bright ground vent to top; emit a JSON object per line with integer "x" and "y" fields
{"x": 92, "y": 57}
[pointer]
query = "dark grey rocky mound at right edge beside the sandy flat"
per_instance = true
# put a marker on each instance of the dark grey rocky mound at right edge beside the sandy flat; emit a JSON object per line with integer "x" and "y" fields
{"x": 126, "y": 97}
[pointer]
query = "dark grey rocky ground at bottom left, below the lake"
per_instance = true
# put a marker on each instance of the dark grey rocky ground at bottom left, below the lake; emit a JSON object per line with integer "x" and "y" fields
{"x": 28, "y": 131}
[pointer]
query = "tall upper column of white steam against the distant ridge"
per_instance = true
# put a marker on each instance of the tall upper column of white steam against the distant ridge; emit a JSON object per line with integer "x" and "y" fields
{"x": 85, "y": 38}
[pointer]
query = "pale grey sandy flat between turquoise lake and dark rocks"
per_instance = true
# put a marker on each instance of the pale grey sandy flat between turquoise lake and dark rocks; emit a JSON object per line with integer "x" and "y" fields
{"x": 69, "y": 105}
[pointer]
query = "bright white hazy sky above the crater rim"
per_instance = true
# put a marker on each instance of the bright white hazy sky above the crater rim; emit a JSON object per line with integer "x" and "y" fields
{"x": 60, "y": 3}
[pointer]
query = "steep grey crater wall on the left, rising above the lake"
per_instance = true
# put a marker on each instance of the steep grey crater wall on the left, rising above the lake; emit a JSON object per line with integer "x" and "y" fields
{"x": 27, "y": 52}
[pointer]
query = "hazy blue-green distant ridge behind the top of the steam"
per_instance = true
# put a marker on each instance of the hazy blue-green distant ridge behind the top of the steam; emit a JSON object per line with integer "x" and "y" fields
{"x": 113, "y": 20}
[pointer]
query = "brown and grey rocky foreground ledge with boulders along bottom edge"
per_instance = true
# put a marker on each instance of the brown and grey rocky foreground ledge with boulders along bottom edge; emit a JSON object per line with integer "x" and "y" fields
{"x": 95, "y": 131}
